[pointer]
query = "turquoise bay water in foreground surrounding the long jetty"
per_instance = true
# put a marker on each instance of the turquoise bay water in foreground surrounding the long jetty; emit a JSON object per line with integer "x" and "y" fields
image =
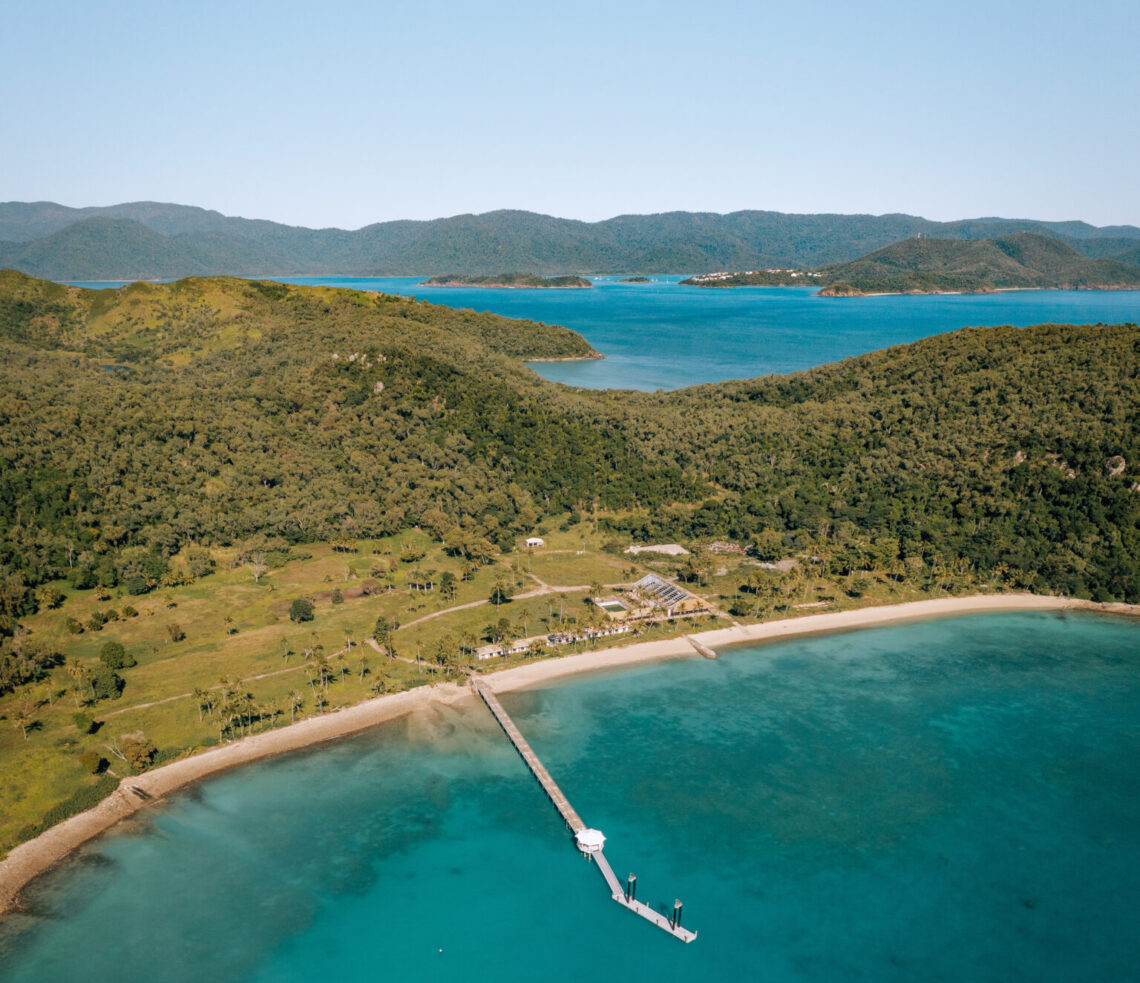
{"x": 950, "y": 801}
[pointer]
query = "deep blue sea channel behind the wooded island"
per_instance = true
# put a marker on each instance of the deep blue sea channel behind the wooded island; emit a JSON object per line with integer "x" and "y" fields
{"x": 662, "y": 336}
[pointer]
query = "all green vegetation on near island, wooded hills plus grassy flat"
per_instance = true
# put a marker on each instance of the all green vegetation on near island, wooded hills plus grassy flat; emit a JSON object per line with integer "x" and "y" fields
{"x": 210, "y": 453}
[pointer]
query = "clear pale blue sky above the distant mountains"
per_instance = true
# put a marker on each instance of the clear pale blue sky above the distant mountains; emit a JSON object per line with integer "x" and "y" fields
{"x": 343, "y": 115}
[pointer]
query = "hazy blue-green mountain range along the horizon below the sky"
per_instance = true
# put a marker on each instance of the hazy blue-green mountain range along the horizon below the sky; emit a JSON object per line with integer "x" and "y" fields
{"x": 148, "y": 240}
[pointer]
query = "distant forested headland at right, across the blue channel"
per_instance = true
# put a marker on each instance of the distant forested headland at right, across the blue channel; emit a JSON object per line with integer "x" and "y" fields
{"x": 1020, "y": 261}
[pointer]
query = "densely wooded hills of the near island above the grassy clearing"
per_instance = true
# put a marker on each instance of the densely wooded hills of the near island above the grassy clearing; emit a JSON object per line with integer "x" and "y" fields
{"x": 137, "y": 421}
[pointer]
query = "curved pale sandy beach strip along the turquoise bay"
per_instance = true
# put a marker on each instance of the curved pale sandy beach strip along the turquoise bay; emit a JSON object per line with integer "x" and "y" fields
{"x": 29, "y": 860}
